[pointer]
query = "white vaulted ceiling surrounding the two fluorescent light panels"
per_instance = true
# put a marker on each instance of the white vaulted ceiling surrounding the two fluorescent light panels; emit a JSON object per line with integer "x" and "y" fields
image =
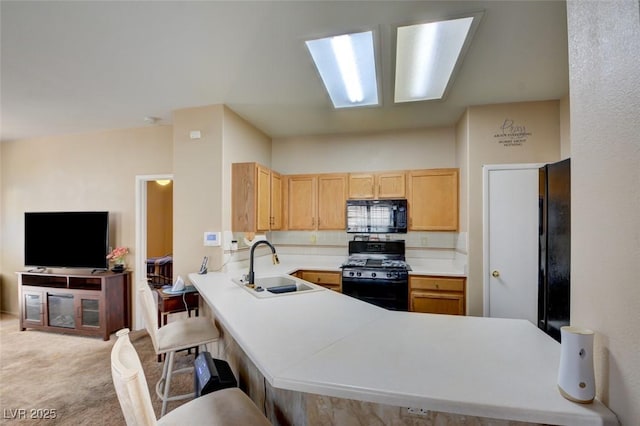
{"x": 71, "y": 67}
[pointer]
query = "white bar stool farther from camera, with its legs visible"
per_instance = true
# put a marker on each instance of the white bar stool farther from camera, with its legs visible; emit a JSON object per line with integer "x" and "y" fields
{"x": 185, "y": 333}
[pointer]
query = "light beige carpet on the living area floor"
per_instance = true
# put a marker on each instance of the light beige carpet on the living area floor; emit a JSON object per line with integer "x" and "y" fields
{"x": 71, "y": 375}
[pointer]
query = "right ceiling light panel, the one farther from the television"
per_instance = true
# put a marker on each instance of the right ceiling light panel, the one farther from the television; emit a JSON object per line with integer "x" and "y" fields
{"x": 426, "y": 56}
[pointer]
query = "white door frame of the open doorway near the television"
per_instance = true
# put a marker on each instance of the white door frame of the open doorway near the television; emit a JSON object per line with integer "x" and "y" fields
{"x": 141, "y": 241}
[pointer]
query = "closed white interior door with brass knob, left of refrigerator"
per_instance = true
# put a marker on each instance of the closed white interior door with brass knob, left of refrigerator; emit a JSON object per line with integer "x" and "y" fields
{"x": 511, "y": 241}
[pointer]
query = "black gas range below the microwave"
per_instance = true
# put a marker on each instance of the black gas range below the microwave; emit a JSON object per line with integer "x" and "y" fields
{"x": 376, "y": 272}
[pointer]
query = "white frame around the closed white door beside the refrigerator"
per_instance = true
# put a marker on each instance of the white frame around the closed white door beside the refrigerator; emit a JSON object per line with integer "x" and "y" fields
{"x": 486, "y": 169}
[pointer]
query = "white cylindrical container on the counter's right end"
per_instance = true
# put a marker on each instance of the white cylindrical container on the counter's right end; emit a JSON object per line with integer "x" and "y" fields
{"x": 576, "y": 380}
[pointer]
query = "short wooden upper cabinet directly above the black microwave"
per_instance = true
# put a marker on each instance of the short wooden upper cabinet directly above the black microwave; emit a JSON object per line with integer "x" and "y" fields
{"x": 377, "y": 185}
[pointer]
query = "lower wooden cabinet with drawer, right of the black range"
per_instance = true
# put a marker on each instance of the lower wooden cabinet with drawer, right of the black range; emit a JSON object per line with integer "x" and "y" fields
{"x": 437, "y": 295}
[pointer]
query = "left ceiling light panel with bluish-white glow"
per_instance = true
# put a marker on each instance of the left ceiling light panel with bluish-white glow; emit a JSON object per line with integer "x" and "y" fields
{"x": 346, "y": 64}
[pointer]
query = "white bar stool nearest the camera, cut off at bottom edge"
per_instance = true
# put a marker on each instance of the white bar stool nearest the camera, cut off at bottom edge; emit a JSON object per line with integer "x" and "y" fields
{"x": 226, "y": 407}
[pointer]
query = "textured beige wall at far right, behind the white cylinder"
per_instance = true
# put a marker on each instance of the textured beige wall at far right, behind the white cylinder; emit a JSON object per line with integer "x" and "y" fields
{"x": 604, "y": 58}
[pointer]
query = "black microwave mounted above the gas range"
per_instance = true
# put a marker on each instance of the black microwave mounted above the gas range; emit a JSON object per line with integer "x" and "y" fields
{"x": 377, "y": 216}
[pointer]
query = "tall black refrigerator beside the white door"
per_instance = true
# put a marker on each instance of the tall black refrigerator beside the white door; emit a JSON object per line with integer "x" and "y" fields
{"x": 554, "y": 254}
